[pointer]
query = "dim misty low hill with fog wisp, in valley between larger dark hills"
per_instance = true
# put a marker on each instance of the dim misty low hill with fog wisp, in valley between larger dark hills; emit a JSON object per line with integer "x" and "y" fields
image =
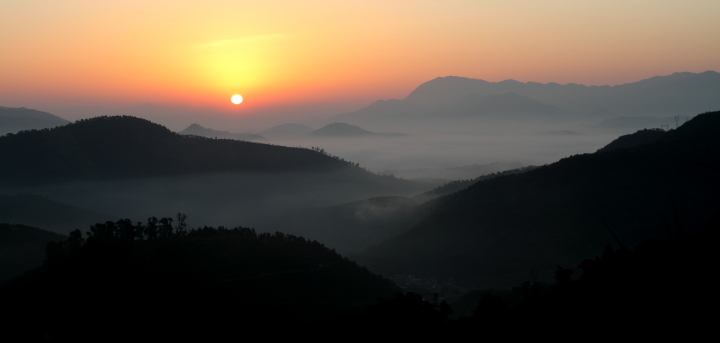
{"x": 352, "y": 227}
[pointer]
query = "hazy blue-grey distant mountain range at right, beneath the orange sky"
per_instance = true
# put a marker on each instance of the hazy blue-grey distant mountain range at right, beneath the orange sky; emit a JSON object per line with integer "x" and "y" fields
{"x": 677, "y": 94}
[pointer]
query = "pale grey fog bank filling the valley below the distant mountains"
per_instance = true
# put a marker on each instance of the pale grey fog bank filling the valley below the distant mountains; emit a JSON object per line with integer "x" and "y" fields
{"x": 425, "y": 154}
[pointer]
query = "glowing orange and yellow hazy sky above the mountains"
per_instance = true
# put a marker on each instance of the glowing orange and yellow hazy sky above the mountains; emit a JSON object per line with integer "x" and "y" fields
{"x": 289, "y": 53}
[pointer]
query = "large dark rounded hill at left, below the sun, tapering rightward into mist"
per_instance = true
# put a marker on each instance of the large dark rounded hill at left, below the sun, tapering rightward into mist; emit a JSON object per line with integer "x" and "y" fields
{"x": 125, "y": 147}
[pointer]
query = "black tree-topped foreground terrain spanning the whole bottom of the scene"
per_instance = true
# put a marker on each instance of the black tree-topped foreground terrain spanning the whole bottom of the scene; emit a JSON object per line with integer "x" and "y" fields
{"x": 158, "y": 280}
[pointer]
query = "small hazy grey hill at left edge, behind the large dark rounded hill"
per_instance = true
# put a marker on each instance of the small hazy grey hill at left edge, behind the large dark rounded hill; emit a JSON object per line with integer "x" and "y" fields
{"x": 17, "y": 119}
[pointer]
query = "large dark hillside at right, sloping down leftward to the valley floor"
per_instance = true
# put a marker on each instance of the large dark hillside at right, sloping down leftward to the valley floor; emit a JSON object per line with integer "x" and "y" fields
{"x": 494, "y": 232}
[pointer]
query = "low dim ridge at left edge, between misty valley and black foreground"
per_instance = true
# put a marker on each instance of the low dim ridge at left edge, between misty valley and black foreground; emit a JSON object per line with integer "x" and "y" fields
{"x": 38, "y": 211}
